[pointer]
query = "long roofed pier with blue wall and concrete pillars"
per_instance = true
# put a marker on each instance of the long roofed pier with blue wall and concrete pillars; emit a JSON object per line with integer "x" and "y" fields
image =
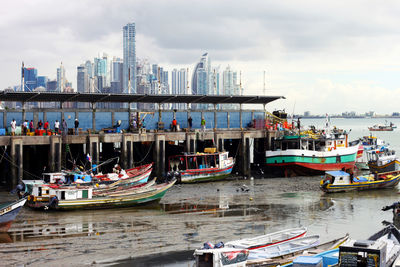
{"x": 22, "y": 157}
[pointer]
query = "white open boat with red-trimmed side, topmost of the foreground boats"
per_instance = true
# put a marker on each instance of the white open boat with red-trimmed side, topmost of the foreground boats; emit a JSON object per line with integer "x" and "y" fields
{"x": 268, "y": 239}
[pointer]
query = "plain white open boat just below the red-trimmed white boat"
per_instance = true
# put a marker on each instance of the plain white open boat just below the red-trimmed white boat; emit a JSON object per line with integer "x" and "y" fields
{"x": 284, "y": 248}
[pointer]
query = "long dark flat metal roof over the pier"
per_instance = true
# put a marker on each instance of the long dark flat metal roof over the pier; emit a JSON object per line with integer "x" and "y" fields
{"x": 132, "y": 98}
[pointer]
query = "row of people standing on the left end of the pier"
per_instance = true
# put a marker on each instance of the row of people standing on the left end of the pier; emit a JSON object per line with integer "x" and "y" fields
{"x": 25, "y": 127}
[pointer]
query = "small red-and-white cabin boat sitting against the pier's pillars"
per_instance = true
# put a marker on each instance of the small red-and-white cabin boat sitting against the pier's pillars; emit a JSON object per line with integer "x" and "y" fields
{"x": 200, "y": 167}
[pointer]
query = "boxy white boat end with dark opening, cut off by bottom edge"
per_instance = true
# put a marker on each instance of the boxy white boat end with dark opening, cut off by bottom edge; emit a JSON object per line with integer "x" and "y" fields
{"x": 219, "y": 257}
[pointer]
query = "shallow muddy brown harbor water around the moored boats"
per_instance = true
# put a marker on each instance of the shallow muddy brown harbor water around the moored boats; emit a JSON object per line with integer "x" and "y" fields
{"x": 166, "y": 233}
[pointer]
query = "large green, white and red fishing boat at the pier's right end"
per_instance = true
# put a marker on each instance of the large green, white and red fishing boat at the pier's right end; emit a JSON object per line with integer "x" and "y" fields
{"x": 312, "y": 152}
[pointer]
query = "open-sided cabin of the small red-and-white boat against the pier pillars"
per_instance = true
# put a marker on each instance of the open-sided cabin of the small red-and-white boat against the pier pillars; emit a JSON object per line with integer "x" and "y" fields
{"x": 199, "y": 161}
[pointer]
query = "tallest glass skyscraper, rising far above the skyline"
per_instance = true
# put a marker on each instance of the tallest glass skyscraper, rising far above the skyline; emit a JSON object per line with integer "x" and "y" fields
{"x": 129, "y": 47}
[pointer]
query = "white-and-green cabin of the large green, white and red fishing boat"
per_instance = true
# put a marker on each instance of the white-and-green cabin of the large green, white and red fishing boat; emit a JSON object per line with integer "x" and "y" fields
{"x": 327, "y": 143}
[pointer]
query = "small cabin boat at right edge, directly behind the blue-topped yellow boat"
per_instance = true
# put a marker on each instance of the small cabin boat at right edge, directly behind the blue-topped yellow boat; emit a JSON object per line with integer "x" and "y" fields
{"x": 383, "y": 160}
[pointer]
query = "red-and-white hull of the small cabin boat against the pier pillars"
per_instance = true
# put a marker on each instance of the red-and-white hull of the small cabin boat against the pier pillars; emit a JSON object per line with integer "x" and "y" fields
{"x": 205, "y": 175}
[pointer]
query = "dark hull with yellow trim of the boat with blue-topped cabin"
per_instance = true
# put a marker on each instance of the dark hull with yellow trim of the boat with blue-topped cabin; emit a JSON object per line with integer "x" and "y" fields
{"x": 355, "y": 186}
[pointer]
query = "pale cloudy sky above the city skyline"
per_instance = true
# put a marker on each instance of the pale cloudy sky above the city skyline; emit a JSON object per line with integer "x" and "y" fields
{"x": 322, "y": 56}
